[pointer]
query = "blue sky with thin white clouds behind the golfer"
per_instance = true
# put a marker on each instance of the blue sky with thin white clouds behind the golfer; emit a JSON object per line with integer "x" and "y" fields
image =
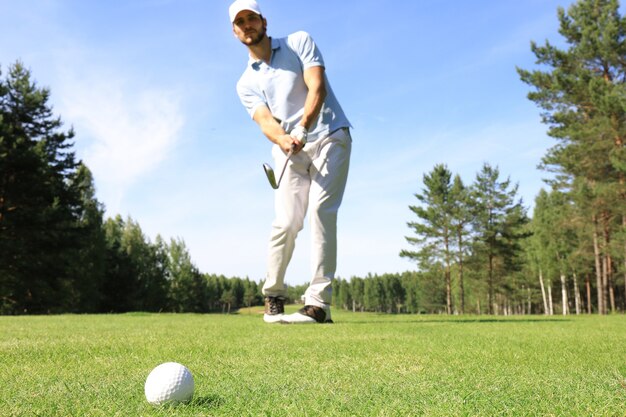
{"x": 149, "y": 86}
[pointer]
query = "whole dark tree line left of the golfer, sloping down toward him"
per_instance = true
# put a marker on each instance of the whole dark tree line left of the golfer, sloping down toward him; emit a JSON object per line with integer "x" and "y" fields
{"x": 58, "y": 253}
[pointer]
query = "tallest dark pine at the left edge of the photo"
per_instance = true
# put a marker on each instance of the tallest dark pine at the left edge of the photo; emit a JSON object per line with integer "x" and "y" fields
{"x": 38, "y": 207}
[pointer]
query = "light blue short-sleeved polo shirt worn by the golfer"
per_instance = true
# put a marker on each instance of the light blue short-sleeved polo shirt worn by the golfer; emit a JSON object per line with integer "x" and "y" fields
{"x": 280, "y": 86}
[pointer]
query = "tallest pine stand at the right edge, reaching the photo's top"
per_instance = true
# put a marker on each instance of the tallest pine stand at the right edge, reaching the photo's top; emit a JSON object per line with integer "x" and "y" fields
{"x": 579, "y": 224}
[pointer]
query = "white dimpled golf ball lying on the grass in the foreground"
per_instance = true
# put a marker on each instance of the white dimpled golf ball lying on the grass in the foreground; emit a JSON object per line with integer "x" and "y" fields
{"x": 169, "y": 382}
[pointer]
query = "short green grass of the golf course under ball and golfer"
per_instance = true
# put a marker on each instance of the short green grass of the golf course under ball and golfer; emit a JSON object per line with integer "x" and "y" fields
{"x": 363, "y": 365}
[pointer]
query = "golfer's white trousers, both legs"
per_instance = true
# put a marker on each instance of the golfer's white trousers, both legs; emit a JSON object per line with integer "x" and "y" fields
{"x": 315, "y": 179}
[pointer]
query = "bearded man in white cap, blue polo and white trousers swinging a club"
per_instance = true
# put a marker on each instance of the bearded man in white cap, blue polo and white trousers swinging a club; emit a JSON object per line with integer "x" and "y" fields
{"x": 286, "y": 92}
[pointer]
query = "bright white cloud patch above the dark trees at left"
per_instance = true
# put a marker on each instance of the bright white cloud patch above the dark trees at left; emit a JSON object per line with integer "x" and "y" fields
{"x": 122, "y": 134}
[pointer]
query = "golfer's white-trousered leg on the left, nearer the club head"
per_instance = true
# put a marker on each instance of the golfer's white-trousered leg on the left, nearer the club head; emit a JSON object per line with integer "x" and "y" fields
{"x": 291, "y": 200}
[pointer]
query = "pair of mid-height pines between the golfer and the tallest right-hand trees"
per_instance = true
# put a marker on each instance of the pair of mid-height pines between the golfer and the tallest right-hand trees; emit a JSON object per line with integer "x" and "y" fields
{"x": 475, "y": 233}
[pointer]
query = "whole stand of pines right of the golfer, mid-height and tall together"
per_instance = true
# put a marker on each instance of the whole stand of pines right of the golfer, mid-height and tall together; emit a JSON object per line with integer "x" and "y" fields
{"x": 571, "y": 256}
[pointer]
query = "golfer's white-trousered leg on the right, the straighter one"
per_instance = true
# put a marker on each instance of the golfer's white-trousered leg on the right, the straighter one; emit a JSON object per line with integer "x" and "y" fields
{"x": 329, "y": 176}
